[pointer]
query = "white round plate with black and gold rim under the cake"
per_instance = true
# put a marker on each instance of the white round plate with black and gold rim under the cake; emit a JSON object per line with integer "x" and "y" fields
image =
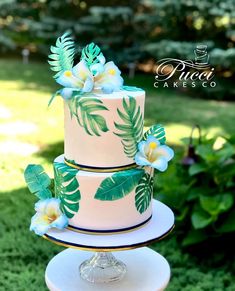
{"x": 161, "y": 223}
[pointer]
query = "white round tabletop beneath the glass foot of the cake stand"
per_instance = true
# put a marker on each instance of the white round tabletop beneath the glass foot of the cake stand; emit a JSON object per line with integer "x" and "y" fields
{"x": 146, "y": 271}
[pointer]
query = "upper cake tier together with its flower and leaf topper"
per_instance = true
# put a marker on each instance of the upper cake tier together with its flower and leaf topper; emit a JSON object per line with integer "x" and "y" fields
{"x": 103, "y": 118}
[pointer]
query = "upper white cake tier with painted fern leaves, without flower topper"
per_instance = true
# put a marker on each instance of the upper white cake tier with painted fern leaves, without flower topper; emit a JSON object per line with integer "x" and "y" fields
{"x": 104, "y": 129}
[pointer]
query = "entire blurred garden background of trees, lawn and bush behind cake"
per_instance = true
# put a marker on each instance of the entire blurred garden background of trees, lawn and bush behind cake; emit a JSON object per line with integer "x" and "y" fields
{"x": 199, "y": 186}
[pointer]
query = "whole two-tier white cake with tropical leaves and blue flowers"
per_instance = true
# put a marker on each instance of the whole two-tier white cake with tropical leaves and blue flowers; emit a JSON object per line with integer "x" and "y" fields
{"x": 104, "y": 181}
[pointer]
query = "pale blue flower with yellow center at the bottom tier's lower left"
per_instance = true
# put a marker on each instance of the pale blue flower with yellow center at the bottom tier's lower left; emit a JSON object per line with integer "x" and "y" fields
{"x": 48, "y": 215}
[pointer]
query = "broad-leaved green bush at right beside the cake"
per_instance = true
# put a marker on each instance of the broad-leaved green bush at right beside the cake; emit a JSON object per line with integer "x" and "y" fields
{"x": 202, "y": 194}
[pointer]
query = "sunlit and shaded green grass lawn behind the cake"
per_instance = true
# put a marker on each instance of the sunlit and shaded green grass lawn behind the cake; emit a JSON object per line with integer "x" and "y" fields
{"x": 32, "y": 133}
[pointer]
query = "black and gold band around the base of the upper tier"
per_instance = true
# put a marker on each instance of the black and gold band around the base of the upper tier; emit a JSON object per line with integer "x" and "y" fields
{"x": 98, "y": 169}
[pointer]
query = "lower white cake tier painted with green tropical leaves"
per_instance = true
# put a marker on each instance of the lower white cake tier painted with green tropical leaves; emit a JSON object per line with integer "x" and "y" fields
{"x": 104, "y": 202}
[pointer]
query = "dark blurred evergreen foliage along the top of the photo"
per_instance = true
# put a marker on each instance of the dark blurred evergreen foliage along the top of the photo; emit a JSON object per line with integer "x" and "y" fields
{"x": 145, "y": 30}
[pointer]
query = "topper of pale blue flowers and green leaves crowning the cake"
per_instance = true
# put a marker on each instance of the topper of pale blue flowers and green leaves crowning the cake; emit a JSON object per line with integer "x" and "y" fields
{"x": 91, "y": 73}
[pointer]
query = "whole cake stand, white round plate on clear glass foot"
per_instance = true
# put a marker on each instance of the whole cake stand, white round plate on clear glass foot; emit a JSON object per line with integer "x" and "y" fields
{"x": 103, "y": 267}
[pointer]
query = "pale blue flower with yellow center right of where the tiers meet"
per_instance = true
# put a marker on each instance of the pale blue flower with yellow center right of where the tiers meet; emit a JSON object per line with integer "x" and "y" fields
{"x": 152, "y": 153}
